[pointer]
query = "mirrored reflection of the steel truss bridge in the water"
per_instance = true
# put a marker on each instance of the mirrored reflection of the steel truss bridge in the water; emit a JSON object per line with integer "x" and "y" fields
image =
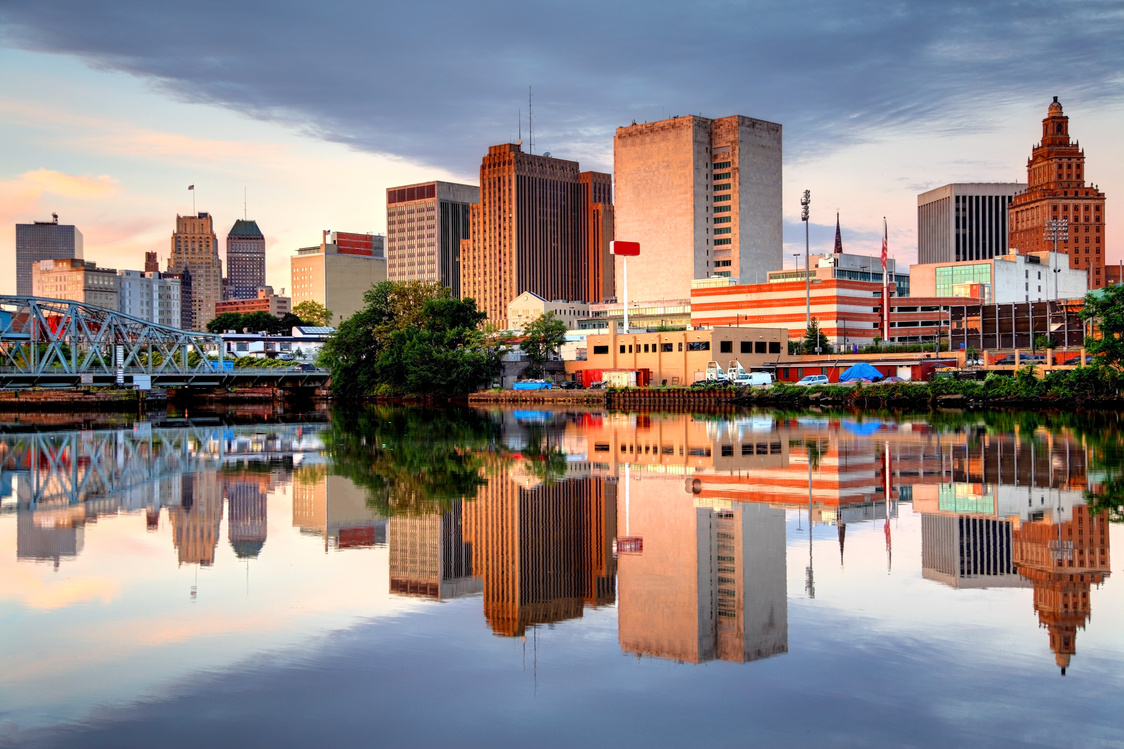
{"x": 67, "y": 468}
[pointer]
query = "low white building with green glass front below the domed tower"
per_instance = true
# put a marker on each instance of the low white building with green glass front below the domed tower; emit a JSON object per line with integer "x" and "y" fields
{"x": 1003, "y": 279}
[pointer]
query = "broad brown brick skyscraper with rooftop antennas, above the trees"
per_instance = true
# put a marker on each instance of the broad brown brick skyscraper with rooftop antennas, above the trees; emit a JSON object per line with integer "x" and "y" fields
{"x": 541, "y": 227}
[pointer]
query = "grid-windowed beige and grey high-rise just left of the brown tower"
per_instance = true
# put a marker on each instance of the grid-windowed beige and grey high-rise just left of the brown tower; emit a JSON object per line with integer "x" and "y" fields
{"x": 425, "y": 227}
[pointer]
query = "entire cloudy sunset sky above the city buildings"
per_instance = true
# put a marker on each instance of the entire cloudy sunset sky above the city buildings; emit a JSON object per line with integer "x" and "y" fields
{"x": 303, "y": 114}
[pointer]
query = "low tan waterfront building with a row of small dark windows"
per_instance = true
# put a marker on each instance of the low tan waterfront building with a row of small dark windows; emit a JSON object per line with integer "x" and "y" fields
{"x": 681, "y": 357}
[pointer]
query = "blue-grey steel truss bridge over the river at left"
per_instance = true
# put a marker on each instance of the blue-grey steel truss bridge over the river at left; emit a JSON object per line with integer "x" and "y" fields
{"x": 66, "y": 345}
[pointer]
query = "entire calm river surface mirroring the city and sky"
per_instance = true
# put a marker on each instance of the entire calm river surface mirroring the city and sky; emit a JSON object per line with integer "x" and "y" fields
{"x": 409, "y": 577}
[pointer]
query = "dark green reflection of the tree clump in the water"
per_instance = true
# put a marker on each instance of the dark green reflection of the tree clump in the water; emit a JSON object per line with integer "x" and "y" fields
{"x": 412, "y": 462}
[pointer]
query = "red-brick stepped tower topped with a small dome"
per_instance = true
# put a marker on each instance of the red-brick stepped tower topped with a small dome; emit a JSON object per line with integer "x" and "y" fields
{"x": 1056, "y": 189}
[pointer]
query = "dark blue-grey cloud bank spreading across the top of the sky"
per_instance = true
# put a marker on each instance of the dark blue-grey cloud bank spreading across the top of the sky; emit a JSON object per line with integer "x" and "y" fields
{"x": 439, "y": 85}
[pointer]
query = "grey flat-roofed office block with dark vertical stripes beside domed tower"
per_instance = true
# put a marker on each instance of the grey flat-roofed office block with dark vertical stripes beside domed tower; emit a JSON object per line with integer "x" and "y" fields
{"x": 965, "y": 221}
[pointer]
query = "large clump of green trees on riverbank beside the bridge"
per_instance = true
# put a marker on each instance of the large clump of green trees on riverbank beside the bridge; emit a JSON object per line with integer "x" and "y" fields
{"x": 412, "y": 339}
